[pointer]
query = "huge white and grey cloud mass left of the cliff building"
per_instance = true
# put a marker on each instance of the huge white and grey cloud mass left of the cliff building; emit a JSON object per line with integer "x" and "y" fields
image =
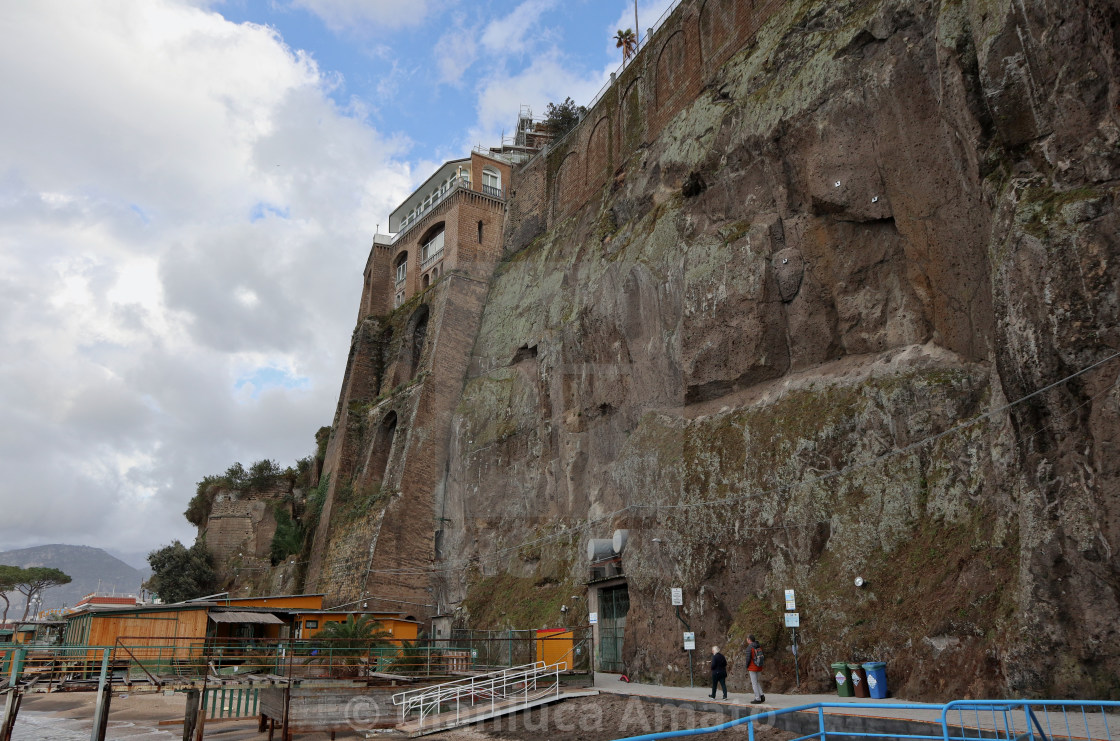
{"x": 182, "y": 203}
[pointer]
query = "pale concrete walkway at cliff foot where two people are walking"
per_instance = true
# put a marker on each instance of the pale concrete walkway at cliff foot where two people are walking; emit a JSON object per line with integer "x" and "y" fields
{"x": 1094, "y": 726}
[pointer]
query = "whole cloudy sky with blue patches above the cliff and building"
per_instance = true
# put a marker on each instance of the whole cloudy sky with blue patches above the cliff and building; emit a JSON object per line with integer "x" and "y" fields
{"x": 189, "y": 191}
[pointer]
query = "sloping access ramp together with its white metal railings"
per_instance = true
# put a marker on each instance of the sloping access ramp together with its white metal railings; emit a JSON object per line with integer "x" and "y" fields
{"x": 473, "y": 700}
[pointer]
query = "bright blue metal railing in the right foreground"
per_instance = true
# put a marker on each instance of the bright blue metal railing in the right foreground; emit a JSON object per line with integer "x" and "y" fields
{"x": 966, "y": 720}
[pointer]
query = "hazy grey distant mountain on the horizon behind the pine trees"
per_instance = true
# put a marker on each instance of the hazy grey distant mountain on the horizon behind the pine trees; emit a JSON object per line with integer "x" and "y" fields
{"x": 92, "y": 570}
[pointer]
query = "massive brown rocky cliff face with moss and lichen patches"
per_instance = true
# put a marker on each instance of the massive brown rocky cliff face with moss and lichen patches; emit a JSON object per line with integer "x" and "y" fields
{"x": 809, "y": 333}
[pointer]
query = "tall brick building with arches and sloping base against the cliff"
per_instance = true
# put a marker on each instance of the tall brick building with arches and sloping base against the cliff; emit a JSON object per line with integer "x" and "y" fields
{"x": 424, "y": 290}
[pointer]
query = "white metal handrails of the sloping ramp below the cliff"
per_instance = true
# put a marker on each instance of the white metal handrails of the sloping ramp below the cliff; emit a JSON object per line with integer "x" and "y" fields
{"x": 517, "y": 686}
